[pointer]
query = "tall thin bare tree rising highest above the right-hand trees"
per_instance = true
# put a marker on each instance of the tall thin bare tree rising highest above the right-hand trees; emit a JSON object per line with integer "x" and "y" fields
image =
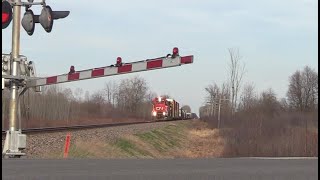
{"x": 237, "y": 71}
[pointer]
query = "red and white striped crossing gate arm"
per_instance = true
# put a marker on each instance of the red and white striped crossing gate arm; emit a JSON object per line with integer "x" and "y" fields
{"x": 146, "y": 65}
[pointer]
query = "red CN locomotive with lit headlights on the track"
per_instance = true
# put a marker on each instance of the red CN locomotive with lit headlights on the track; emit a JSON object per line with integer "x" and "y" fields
{"x": 166, "y": 109}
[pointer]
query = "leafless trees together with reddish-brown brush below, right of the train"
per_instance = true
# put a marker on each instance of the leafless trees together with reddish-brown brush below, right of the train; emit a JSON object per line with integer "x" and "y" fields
{"x": 262, "y": 124}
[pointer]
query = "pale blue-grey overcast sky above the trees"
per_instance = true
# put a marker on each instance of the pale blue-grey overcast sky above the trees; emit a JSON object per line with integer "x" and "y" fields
{"x": 275, "y": 38}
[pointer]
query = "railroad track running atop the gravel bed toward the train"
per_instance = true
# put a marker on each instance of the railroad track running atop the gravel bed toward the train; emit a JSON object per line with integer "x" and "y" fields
{"x": 78, "y": 127}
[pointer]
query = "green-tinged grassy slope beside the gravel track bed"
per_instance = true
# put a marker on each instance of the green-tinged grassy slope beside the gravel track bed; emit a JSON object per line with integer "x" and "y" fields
{"x": 158, "y": 143}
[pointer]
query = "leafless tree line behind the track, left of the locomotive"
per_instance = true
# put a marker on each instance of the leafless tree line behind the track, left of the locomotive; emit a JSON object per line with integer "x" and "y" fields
{"x": 127, "y": 99}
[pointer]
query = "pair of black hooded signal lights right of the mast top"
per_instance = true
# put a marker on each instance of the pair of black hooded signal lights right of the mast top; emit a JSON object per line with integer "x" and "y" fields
{"x": 45, "y": 19}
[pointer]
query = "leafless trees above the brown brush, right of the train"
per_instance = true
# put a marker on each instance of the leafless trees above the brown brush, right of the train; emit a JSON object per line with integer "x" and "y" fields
{"x": 302, "y": 94}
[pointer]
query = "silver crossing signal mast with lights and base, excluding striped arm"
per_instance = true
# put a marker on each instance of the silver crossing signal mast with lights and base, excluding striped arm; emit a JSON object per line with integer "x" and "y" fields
{"x": 16, "y": 69}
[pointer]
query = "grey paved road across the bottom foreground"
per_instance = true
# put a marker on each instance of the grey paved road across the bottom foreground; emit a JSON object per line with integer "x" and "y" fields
{"x": 177, "y": 169}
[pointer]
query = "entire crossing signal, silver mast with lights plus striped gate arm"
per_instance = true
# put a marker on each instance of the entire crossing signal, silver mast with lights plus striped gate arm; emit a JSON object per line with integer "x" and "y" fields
{"x": 19, "y": 74}
